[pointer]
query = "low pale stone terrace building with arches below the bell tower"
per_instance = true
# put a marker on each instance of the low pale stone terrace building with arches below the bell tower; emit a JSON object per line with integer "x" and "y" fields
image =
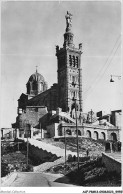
{"x": 61, "y": 124}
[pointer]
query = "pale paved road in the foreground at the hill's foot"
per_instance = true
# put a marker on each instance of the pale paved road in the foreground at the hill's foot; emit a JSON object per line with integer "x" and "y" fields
{"x": 31, "y": 179}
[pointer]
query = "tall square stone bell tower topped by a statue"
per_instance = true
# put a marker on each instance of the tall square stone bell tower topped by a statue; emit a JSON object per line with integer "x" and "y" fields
{"x": 69, "y": 71}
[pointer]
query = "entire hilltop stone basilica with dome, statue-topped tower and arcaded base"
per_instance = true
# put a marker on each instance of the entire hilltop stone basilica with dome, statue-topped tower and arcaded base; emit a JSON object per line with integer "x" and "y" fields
{"x": 59, "y": 109}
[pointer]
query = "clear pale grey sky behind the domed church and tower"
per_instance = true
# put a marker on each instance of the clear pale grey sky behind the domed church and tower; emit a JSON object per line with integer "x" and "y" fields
{"x": 30, "y": 30}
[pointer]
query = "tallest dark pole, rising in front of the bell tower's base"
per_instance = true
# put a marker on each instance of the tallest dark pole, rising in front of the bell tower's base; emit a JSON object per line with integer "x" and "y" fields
{"x": 76, "y": 133}
